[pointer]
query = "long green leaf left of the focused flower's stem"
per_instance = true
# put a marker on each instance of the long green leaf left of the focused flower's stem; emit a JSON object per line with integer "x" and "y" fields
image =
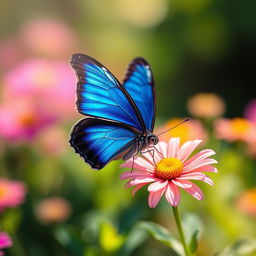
{"x": 163, "y": 235}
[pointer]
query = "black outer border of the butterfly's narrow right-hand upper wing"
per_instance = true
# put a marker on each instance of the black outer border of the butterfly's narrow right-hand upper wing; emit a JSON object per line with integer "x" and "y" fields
{"x": 131, "y": 69}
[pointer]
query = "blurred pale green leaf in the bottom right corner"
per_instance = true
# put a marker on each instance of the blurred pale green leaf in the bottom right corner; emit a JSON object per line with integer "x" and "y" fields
{"x": 241, "y": 247}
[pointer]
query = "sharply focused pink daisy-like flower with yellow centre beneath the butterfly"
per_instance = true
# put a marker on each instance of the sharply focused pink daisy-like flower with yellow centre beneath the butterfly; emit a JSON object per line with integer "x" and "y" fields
{"x": 170, "y": 170}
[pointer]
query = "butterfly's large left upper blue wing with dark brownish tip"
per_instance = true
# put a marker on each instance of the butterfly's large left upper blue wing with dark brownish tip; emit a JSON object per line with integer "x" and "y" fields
{"x": 99, "y": 94}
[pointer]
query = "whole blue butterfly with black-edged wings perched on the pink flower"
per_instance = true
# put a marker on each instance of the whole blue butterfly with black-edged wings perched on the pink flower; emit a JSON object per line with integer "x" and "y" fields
{"x": 119, "y": 118}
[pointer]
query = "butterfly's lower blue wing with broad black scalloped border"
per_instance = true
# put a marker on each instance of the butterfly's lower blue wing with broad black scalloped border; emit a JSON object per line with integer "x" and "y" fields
{"x": 99, "y": 141}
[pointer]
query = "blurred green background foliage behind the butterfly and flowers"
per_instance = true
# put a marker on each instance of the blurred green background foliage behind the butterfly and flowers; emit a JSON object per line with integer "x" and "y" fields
{"x": 193, "y": 46}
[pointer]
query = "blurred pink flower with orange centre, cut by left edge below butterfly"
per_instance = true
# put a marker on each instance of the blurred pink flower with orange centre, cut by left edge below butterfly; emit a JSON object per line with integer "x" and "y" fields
{"x": 12, "y": 193}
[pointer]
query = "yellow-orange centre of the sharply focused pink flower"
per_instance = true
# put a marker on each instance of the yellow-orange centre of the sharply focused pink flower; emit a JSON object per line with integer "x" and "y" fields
{"x": 168, "y": 168}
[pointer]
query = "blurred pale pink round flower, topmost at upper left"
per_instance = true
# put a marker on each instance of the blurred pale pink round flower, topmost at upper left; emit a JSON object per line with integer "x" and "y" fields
{"x": 48, "y": 37}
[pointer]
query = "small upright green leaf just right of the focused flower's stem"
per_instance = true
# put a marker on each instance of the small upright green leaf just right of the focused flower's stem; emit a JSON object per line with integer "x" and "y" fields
{"x": 193, "y": 228}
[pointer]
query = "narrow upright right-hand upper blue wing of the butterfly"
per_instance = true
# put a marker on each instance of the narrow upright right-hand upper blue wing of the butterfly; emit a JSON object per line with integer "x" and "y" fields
{"x": 139, "y": 83}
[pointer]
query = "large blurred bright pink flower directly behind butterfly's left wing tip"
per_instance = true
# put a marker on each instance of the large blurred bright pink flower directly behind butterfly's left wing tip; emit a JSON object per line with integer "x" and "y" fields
{"x": 51, "y": 84}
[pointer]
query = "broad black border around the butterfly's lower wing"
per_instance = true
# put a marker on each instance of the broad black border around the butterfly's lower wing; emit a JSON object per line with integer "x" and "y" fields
{"x": 76, "y": 129}
